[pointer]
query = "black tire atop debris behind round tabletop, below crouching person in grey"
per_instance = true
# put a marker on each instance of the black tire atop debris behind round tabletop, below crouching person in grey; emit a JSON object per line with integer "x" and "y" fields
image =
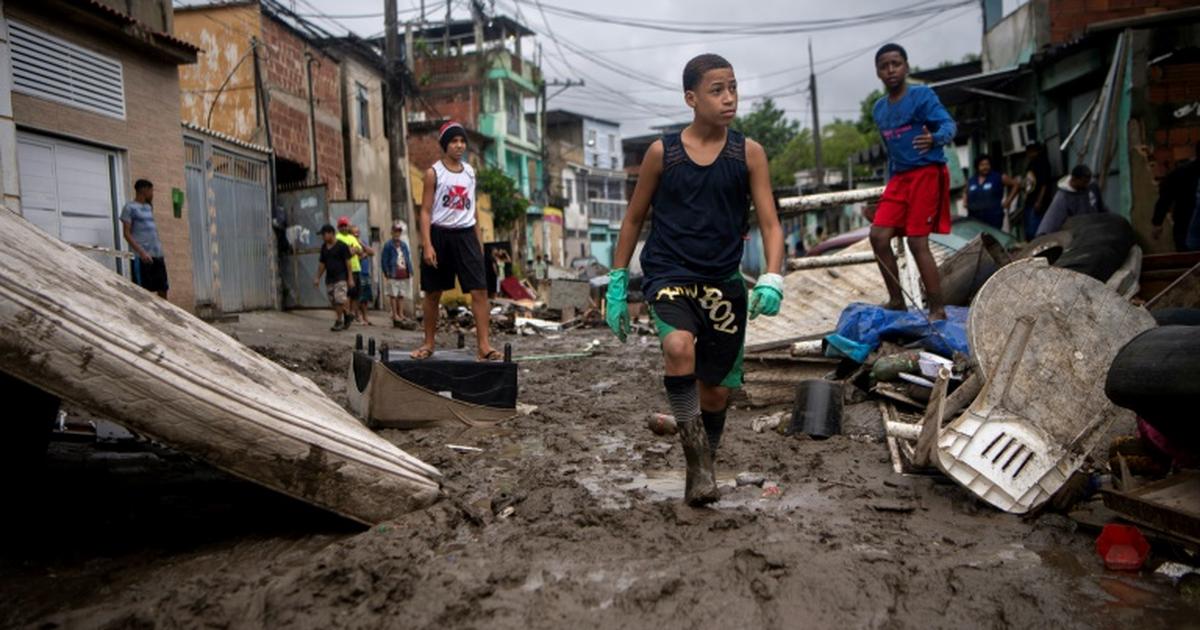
{"x": 1100, "y": 245}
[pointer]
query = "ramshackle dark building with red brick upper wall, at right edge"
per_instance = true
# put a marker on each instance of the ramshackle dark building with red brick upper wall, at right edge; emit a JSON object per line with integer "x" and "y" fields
{"x": 1108, "y": 85}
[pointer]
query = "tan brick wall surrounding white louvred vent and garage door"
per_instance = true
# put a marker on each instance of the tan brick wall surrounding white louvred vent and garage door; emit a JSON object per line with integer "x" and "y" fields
{"x": 149, "y": 137}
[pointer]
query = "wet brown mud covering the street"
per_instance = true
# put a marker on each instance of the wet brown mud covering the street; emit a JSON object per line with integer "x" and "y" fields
{"x": 571, "y": 517}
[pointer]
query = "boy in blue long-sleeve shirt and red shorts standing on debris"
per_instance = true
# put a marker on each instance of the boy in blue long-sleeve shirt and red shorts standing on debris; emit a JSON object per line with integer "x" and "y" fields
{"x": 917, "y": 200}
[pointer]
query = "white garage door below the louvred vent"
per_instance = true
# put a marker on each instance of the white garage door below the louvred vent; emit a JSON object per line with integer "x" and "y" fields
{"x": 68, "y": 190}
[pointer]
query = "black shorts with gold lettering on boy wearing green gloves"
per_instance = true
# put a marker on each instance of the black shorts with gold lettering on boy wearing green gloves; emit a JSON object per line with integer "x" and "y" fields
{"x": 716, "y": 314}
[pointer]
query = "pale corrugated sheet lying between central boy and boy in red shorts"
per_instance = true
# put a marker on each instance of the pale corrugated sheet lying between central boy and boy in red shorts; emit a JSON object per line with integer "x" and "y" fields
{"x": 815, "y": 298}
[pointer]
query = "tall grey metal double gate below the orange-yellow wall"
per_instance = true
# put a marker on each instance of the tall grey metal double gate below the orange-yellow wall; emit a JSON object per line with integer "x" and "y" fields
{"x": 233, "y": 248}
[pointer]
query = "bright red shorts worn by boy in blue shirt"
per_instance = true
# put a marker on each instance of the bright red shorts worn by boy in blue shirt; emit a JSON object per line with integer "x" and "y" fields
{"x": 917, "y": 202}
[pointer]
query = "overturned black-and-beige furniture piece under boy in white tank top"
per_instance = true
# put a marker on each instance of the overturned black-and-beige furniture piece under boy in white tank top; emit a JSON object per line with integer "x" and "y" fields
{"x": 388, "y": 389}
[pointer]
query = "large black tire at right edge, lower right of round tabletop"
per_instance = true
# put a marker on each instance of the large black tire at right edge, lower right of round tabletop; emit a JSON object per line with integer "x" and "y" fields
{"x": 1155, "y": 375}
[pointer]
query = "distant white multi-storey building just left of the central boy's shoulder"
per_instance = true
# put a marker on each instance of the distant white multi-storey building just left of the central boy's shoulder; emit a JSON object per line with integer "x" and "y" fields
{"x": 585, "y": 159}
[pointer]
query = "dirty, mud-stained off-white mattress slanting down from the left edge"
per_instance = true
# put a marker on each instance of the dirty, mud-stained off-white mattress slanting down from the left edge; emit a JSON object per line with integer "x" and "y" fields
{"x": 76, "y": 329}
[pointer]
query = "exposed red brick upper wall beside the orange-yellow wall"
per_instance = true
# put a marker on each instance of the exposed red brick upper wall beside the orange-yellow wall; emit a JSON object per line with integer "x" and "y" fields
{"x": 286, "y": 77}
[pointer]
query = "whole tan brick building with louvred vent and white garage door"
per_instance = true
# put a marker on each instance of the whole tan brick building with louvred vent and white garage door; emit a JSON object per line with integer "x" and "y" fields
{"x": 89, "y": 103}
